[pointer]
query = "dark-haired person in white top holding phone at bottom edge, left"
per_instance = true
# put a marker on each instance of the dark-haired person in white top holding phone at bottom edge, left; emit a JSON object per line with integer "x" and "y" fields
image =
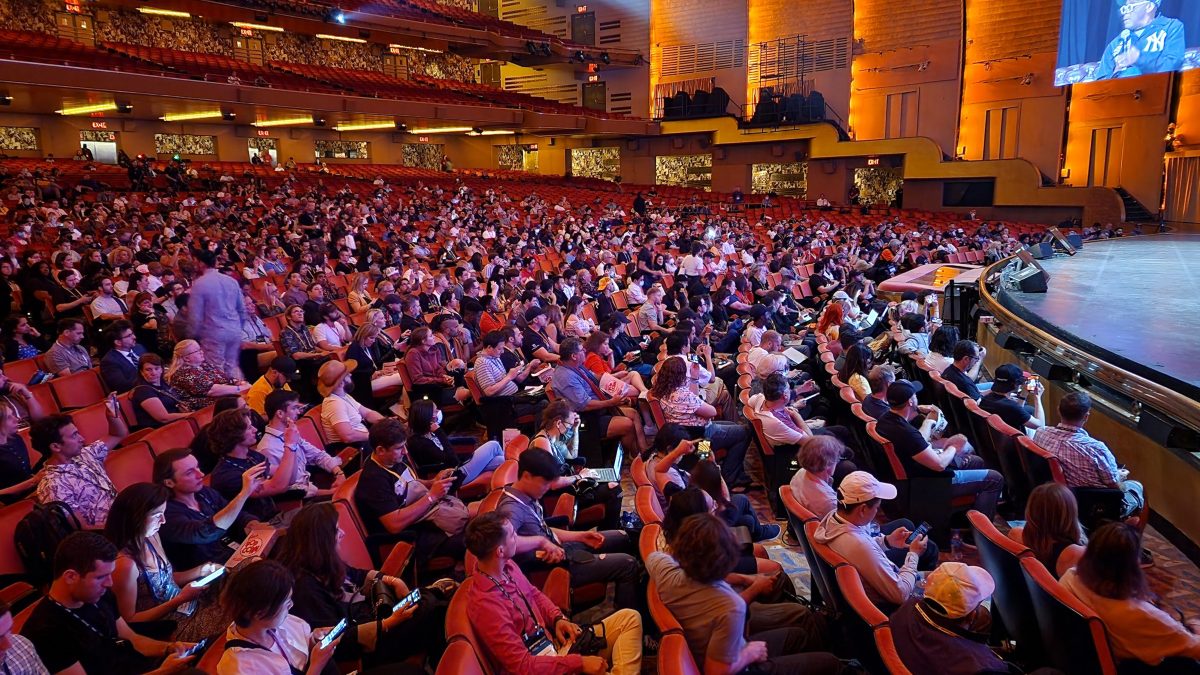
{"x": 265, "y": 637}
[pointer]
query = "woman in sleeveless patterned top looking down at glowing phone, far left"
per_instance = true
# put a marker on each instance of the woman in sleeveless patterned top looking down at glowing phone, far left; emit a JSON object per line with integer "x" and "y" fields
{"x": 145, "y": 583}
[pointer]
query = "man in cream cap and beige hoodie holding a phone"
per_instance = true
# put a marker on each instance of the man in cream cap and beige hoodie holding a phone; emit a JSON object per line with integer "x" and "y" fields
{"x": 847, "y": 531}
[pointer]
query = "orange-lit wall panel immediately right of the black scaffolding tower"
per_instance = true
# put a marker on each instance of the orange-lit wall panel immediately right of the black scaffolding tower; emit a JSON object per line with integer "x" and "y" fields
{"x": 907, "y": 79}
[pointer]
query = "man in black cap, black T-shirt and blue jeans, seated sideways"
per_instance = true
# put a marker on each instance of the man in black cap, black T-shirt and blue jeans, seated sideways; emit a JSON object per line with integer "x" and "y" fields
{"x": 926, "y": 458}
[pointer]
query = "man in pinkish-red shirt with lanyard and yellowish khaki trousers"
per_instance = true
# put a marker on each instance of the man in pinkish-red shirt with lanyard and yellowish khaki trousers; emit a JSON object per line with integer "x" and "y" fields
{"x": 505, "y": 629}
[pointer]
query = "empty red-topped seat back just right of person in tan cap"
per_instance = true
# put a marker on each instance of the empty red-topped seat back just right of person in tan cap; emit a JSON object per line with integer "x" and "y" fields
{"x": 1001, "y": 557}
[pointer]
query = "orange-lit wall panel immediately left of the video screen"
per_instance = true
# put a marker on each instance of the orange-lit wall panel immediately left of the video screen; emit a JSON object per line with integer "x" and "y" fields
{"x": 1011, "y": 107}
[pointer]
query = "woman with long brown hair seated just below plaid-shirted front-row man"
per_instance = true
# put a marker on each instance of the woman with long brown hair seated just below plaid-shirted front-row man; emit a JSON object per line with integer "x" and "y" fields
{"x": 1052, "y": 528}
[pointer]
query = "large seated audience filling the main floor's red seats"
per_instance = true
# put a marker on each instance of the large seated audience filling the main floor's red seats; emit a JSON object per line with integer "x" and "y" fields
{"x": 439, "y": 373}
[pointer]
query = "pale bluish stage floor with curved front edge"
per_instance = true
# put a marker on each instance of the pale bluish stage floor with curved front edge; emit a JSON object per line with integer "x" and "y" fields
{"x": 1133, "y": 302}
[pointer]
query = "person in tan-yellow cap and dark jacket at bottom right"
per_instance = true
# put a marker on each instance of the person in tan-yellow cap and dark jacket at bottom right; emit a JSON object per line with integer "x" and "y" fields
{"x": 947, "y": 632}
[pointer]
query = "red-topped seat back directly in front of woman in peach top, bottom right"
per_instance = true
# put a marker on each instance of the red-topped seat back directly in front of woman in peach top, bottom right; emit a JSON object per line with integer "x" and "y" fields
{"x": 1073, "y": 636}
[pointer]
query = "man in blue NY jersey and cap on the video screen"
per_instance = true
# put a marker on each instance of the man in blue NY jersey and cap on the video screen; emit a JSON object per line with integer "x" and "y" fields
{"x": 1150, "y": 43}
